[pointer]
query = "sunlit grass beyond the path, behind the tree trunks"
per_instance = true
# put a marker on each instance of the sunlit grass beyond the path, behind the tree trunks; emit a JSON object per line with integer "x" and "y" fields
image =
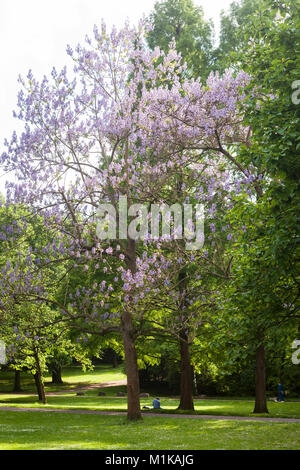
{"x": 74, "y": 377}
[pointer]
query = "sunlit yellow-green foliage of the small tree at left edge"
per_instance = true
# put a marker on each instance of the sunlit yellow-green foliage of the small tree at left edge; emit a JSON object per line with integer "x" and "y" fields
{"x": 32, "y": 325}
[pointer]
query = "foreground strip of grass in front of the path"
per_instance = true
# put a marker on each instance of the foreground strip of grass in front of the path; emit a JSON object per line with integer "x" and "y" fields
{"x": 57, "y": 431}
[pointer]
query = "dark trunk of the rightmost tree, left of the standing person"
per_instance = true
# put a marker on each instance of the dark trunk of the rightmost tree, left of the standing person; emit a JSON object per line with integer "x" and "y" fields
{"x": 260, "y": 381}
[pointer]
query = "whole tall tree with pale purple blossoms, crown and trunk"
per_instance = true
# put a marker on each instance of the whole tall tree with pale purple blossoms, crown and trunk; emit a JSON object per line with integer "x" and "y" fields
{"x": 122, "y": 127}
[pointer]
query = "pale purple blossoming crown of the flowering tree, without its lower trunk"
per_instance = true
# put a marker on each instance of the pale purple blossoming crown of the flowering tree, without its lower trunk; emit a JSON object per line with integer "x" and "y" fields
{"x": 130, "y": 123}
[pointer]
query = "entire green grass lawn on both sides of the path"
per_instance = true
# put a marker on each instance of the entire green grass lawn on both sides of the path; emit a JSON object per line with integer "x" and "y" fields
{"x": 34, "y": 430}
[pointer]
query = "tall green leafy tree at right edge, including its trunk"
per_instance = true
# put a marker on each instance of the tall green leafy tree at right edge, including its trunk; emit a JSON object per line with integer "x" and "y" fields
{"x": 268, "y": 272}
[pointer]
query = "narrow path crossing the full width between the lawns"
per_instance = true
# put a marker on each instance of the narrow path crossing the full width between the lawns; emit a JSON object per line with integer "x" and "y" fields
{"x": 165, "y": 415}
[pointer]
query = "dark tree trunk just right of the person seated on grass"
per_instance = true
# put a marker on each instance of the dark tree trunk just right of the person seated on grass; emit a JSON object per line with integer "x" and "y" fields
{"x": 186, "y": 384}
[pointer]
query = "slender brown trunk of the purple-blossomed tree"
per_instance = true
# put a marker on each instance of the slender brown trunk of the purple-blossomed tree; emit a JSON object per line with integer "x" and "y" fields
{"x": 133, "y": 385}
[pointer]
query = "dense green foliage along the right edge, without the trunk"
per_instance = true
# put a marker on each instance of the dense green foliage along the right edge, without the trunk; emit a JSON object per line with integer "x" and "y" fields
{"x": 261, "y": 303}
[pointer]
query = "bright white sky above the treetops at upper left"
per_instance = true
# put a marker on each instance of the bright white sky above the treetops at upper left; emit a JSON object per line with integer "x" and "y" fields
{"x": 34, "y": 35}
